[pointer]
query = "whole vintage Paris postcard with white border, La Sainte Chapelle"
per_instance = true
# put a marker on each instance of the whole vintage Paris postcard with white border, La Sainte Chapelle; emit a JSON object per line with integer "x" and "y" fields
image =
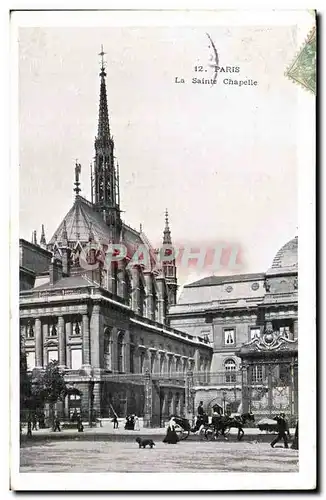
{"x": 163, "y": 319}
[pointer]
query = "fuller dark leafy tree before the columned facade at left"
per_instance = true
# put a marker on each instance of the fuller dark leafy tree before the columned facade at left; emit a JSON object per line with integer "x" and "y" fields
{"x": 49, "y": 386}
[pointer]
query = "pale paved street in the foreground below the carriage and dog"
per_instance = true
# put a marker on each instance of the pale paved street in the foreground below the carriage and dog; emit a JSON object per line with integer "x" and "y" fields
{"x": 186, "y": 456}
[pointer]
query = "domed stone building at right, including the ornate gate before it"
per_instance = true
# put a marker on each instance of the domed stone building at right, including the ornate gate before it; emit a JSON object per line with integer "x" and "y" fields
{"x": 251, "y": 322}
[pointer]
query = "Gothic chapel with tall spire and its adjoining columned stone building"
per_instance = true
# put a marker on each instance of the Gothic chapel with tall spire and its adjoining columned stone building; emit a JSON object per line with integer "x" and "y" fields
{"x": 106, "y": 323}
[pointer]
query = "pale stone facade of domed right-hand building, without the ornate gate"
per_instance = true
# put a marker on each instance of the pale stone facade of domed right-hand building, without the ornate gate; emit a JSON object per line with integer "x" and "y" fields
{"x": 231, "y": 311}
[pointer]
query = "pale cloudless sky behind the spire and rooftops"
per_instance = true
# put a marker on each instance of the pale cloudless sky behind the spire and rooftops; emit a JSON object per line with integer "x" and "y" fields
{"x": 221, "y": 158}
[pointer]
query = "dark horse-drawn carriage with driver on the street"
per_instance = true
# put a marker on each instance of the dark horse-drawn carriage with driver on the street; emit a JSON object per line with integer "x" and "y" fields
{"x": 220, "y": 426}
